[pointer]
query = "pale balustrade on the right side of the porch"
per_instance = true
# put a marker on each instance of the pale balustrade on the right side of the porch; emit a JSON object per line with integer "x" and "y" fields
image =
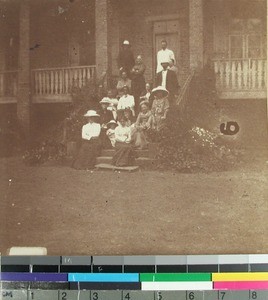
{"x": 241, "y": 75}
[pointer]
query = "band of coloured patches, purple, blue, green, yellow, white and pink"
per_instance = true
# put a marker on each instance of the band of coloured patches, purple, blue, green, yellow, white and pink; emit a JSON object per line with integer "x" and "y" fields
{"x": 147, "y": 281}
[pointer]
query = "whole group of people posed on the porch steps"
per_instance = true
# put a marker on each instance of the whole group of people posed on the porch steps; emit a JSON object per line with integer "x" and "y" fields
{"x": 127, "y": 117}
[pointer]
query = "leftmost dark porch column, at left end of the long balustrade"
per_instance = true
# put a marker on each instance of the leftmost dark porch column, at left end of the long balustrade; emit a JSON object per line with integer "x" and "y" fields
{"x": 23, "y": 98}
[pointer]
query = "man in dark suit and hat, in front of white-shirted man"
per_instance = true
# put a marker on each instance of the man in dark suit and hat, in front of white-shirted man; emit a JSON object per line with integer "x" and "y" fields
{"x": 168, "y": 79}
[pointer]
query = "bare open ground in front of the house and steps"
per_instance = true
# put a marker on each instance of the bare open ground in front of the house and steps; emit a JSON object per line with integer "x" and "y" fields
{"x": 148, "y": 212}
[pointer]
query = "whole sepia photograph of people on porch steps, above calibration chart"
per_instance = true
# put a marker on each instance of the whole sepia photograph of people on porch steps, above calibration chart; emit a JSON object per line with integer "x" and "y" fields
{"x": 134, "y": 127}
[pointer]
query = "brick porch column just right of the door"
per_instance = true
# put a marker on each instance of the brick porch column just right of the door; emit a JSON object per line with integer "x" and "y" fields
{"x": 196, "y": 21}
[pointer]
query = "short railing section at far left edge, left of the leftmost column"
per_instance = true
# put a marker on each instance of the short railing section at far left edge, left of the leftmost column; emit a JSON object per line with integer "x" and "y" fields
{"x": 8, "y": 83}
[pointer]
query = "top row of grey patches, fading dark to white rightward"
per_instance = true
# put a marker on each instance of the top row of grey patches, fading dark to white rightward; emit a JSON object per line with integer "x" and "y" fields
{"x": 136, "y": 260}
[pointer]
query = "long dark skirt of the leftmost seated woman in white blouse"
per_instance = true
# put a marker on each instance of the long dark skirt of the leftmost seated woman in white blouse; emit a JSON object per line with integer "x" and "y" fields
{"x": 87, "y": 154}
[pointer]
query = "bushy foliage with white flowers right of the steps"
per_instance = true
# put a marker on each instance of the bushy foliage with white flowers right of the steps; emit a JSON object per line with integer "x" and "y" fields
{"x": 188, "y": 143}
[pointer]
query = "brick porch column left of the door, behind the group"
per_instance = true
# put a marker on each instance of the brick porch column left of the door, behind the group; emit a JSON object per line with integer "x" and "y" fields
{"x": 103, "y": 37}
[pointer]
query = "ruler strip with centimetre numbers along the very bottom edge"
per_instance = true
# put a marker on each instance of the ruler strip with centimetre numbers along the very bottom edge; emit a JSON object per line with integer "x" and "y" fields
{"x": 132, "y": 295}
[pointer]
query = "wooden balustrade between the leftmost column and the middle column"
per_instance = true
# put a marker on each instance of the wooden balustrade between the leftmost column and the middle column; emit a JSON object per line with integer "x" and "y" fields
{"x": 61, "y": 81}
